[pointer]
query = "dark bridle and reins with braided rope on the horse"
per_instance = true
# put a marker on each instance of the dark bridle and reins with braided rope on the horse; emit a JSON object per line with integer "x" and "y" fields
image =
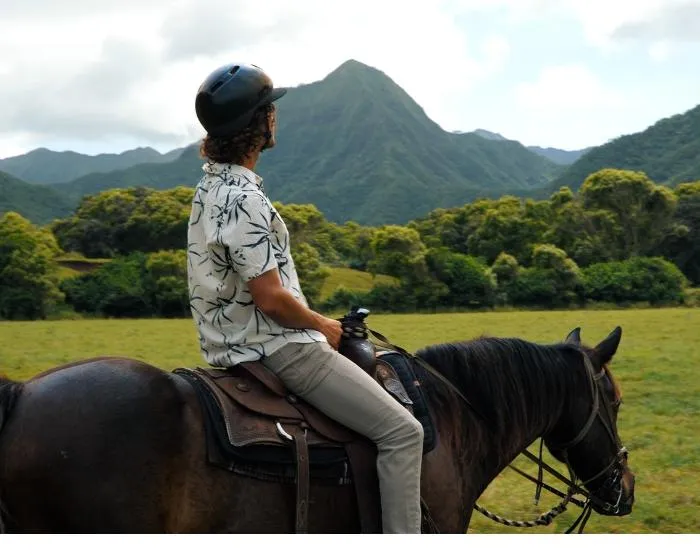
{"x": 573, "y": 487}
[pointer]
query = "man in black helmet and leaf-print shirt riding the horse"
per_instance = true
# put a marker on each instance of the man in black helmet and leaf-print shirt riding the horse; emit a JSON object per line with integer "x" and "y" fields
{"x": 247, "y": 301}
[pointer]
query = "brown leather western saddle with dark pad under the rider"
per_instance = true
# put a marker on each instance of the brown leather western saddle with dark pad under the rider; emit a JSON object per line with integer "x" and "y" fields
{"x": 255, "y": 426}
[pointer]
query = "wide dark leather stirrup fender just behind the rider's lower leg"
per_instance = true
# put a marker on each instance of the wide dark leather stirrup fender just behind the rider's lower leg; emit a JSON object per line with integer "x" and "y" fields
{"x": 363, "y": 462}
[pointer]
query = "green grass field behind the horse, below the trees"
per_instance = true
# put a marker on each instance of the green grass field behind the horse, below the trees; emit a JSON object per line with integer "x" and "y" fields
{"x": 656, "y": 365}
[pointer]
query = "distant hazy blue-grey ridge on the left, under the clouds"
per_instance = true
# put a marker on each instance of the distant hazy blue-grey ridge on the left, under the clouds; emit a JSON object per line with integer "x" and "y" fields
{"x": 48, "y": 167}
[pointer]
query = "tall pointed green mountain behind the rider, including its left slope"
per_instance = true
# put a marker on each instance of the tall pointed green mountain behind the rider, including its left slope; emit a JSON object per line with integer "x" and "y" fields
{"x": 357, "y": 146}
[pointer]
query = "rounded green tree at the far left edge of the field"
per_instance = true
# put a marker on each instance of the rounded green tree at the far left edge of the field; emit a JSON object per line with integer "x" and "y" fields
{"x": 28, "y": 282}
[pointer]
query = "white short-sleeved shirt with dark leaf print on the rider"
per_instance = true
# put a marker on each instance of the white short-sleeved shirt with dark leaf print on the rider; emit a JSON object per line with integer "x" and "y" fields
{"x": 234, "y": 235}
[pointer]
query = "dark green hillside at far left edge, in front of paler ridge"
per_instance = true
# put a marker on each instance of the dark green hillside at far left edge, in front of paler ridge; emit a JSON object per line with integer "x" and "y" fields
{"x": 37, "y": 203}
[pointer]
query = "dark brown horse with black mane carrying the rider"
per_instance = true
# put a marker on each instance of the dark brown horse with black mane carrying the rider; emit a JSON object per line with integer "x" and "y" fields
{"x": 115, "y": 445}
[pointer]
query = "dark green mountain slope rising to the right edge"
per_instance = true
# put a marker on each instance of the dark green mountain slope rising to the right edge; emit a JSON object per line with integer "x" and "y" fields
{"x": 668, "y": 152}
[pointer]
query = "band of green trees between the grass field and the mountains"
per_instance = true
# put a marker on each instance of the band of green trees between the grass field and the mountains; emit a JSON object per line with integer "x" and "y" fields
{"x": 619, "y": 239}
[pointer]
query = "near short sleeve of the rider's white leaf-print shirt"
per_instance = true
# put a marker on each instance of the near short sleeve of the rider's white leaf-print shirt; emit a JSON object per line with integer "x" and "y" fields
{"x": 246, "y": 233}
